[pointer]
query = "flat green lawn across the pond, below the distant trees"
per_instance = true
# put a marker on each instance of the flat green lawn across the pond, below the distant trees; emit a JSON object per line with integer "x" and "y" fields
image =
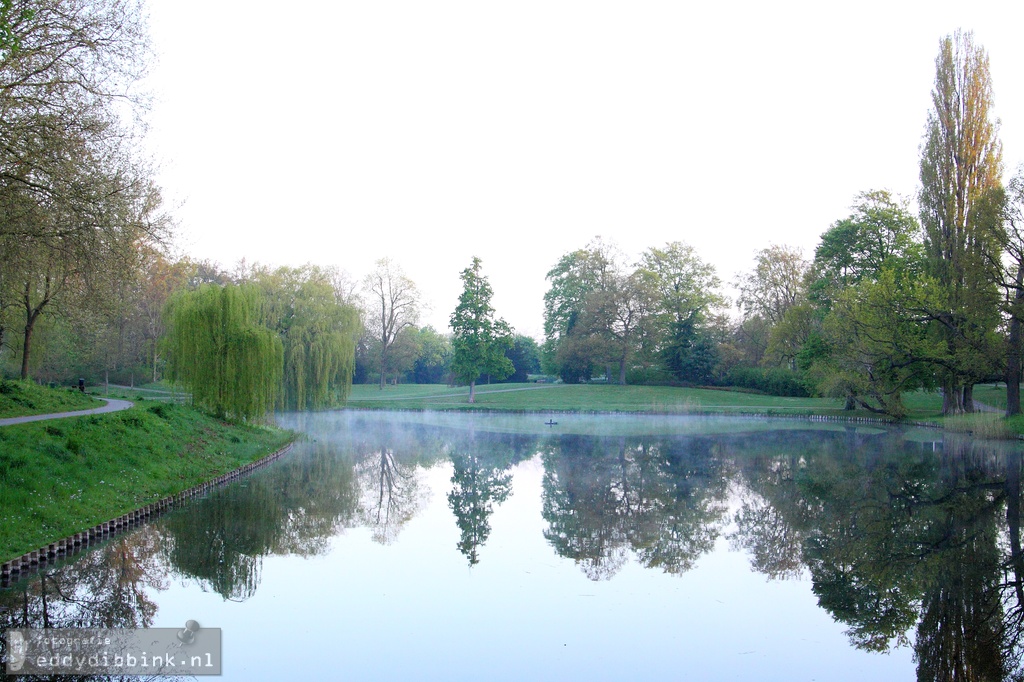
{"x": 605, "y": 398}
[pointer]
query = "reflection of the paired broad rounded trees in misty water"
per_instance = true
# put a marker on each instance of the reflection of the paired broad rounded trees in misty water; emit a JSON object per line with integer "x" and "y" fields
{"x": 662, "y": 498}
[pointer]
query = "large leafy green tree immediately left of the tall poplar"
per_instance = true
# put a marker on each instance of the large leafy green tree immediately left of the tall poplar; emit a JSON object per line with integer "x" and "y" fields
{"x": 862, "y": 332}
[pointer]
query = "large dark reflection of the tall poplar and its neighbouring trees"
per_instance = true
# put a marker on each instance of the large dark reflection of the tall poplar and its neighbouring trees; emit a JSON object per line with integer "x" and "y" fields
{"x": 899, "y": 536}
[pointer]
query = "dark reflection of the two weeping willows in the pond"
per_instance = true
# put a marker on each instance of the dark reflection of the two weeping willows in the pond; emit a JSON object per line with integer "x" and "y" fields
{"x": 293, "y": 508}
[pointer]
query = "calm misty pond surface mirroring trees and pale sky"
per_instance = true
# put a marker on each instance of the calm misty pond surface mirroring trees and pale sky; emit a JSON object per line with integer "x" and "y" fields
{"x": 404, "y": 546}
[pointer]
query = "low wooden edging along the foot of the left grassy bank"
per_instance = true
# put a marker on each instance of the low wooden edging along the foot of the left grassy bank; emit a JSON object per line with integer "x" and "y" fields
{"x": 32, "y": 562}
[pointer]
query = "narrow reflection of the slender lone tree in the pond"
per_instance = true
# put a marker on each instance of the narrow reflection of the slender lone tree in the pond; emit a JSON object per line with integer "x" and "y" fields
{"x": 481, "y": 481}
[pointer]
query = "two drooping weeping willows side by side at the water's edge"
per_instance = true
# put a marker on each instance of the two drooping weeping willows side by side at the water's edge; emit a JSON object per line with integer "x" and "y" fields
{"x": 282, "y": 338}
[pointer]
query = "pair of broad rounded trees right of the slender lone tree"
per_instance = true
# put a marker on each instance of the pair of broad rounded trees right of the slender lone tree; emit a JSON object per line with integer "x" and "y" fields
{"x": 658, "y": 318}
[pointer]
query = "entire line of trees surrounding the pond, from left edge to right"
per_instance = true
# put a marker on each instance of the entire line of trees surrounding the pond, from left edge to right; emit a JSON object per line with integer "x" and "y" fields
{"x": 892, "y": 301}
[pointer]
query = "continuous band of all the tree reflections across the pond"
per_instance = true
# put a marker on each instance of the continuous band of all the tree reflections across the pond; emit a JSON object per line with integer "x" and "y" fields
{"x": 907, "y": 543}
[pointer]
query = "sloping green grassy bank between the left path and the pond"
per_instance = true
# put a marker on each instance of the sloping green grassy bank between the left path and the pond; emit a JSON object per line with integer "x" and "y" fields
{"x": 62, "y": 477}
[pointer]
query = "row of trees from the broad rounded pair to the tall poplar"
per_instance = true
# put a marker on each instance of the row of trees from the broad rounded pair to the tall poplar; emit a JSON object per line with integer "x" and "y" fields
{"x": 890, "y": 303}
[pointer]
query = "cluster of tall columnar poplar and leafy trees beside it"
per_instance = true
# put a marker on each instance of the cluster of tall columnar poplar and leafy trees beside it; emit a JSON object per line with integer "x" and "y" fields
{"x": 890, "y": 304}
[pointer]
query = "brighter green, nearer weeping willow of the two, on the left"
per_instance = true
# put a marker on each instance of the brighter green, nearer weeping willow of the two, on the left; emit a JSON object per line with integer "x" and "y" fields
{"x": 232, "y": 365}
